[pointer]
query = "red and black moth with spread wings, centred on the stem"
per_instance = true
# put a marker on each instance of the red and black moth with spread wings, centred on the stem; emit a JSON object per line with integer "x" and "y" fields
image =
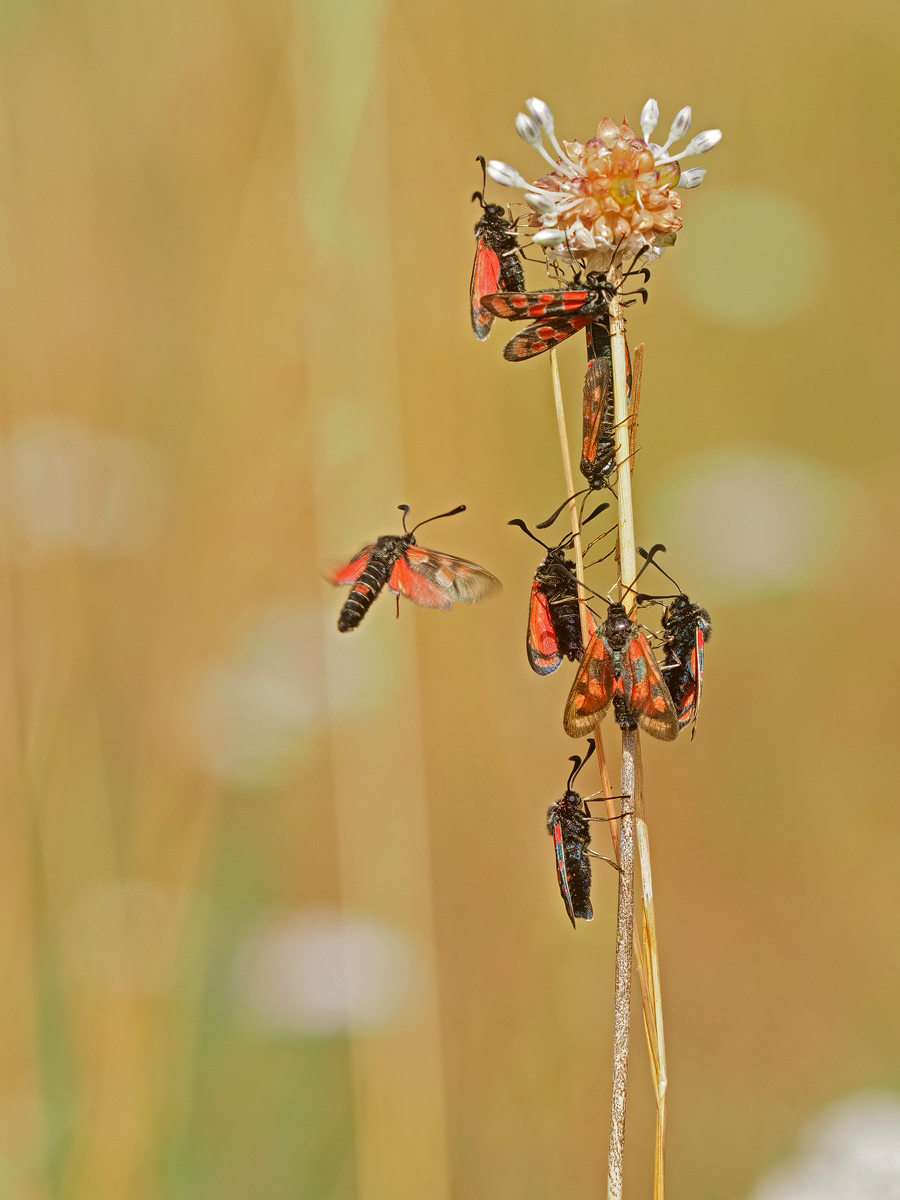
{"x": 620, "y": 669}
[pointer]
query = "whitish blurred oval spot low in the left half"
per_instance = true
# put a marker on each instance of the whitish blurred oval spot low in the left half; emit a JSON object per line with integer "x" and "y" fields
{"x": 321, "y": 973}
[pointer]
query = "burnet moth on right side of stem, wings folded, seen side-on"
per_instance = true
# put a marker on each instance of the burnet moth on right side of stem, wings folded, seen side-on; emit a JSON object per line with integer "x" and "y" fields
{"x": 687, "y": 628}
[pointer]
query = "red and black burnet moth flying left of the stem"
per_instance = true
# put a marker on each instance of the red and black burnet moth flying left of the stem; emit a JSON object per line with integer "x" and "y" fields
{"x": 425, "y": 577}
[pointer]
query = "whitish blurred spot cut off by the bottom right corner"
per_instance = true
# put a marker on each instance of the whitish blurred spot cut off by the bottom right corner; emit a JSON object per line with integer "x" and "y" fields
{"x": 851, "y": 1153}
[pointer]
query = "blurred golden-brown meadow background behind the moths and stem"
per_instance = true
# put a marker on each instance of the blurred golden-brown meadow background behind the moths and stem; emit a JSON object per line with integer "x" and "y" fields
{"x": 278, "y": 908}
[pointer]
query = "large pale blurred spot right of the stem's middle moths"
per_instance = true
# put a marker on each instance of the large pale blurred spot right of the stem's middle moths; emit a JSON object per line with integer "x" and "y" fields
{"x": 746, "y": 525}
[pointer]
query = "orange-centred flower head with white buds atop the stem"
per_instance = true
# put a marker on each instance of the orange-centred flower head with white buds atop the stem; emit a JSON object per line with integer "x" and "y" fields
{"x": 611, "y": 197}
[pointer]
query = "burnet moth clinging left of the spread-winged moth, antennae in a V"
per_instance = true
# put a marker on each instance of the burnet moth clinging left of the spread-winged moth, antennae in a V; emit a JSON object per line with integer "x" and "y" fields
{"x": 554, "y": 619}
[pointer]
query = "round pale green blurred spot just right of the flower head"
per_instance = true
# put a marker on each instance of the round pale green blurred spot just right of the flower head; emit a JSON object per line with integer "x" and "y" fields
{"x": 752, "y": 259}
